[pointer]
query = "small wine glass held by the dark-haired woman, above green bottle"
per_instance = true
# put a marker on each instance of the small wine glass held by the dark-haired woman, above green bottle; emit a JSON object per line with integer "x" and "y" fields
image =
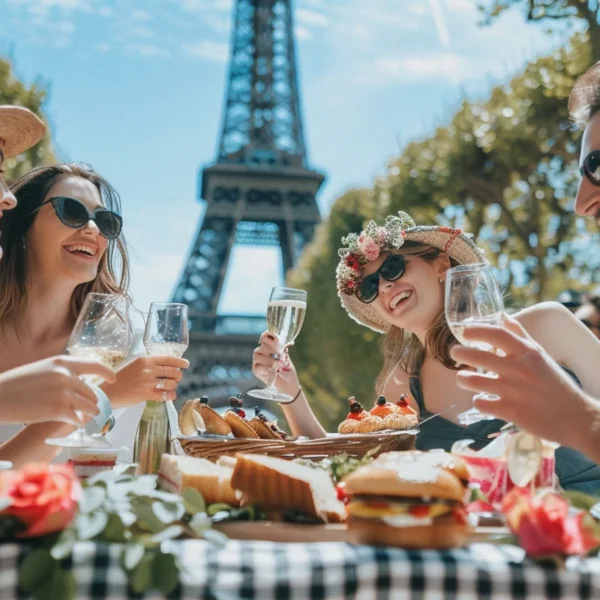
{"x": 166, "y": 330}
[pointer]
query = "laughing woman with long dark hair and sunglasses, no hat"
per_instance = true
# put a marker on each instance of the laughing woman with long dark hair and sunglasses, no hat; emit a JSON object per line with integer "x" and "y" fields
{"x": 62, "y": 241}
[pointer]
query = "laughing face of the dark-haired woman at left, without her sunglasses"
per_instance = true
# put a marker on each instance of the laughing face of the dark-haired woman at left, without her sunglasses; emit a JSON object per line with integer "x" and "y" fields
{"x": 59, "y": 251}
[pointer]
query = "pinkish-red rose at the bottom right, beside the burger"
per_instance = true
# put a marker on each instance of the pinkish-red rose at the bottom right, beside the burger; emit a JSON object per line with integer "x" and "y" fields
{"x": 545, "y": 525}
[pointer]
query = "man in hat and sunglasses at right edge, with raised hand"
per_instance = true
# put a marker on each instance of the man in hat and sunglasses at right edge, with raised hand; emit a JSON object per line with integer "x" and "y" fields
{"x": 535, "y": 393}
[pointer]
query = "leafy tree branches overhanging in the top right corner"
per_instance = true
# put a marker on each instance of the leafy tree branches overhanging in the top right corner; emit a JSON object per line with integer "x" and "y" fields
{"x": 551, "y": 11}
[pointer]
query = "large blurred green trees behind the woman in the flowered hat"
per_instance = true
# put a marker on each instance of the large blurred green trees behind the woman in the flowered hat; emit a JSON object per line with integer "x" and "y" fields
{"x": 503, "y": 168}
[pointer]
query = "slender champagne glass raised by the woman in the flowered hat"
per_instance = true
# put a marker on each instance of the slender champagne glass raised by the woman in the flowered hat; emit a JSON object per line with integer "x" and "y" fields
{"x": 285, "y": 315}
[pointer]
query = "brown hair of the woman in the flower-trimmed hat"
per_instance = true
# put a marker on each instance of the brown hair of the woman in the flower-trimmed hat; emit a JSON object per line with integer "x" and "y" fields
{"x": 404, "y": 348}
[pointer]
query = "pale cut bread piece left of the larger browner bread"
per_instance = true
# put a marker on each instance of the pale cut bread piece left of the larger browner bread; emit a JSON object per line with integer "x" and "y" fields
{"x": 213, "y": 481}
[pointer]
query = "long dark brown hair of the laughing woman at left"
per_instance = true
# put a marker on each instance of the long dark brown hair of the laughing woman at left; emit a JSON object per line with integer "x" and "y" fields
{"x": 30, "y": 191}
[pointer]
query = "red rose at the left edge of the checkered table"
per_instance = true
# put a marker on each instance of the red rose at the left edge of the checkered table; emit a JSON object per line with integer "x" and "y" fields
{"x": 43, "y": 497}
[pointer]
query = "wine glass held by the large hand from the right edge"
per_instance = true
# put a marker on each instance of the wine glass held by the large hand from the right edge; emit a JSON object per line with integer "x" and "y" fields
{"x": 473, "y": 297}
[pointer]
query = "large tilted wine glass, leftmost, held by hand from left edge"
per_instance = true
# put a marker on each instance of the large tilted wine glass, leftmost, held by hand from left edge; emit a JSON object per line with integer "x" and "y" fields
{"x": 102, "y": 332}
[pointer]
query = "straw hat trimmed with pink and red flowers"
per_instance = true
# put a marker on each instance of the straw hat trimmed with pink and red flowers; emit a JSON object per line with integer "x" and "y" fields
{"x": 366, "y": 246}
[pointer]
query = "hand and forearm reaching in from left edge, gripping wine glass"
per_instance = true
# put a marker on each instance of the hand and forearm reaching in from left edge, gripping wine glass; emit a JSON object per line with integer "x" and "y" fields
{"x": 50, "y": 390}
